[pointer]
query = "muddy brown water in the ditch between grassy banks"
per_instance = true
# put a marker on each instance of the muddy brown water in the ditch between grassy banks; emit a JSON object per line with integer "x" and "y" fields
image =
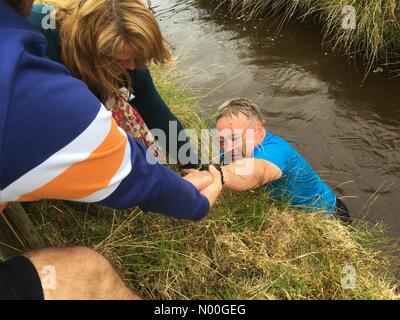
{"x": 349, "y": 132}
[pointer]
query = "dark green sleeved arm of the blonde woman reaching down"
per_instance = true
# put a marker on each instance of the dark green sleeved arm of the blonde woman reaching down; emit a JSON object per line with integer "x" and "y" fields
{"x": 156, "y": 113}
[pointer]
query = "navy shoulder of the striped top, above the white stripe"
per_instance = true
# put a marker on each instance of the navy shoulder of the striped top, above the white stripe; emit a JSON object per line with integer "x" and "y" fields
{"x": 46, "y": 110}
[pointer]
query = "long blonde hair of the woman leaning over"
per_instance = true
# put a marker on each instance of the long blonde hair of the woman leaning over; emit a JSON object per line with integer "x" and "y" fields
{"x": 92, "y": 32}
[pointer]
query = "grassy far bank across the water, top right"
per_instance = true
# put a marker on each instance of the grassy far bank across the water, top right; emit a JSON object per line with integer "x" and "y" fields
{"x": 376, "y": 38}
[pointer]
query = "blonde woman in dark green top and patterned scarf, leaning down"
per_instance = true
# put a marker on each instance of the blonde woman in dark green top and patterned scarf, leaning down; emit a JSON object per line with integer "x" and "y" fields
{"x": 107, "y": 44}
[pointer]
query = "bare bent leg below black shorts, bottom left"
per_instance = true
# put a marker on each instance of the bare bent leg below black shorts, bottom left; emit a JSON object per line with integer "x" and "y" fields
{"x": 80, "y": 274}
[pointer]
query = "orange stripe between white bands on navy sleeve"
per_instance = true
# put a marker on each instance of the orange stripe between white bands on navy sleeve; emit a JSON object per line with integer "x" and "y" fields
{"x": 85, "y": 178}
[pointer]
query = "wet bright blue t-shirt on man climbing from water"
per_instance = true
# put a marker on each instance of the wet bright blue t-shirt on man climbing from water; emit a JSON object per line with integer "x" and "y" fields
{"x": 299, "y": 184}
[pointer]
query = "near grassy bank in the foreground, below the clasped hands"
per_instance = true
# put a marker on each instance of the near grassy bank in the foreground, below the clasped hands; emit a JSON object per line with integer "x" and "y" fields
{"x": 247, "y": 248}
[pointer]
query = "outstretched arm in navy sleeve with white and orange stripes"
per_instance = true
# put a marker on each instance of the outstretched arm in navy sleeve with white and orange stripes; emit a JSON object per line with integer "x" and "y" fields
{"x": 59, "y": 142}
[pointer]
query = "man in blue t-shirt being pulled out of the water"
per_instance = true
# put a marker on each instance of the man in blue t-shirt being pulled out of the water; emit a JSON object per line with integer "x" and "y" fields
{"x": 266, "y": 160}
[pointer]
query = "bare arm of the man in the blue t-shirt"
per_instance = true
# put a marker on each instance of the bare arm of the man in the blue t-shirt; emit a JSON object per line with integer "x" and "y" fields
{"x": 249, "y": 174}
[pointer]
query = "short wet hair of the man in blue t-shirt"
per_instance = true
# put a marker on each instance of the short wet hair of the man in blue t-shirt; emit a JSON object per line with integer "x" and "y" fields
{"x": 239, "y": 105}
